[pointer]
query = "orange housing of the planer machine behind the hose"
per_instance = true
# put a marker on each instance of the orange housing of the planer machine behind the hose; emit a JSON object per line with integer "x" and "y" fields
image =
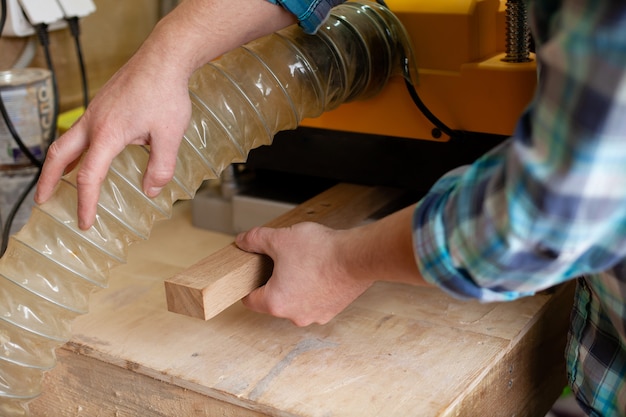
{"x": 462, "y": 79}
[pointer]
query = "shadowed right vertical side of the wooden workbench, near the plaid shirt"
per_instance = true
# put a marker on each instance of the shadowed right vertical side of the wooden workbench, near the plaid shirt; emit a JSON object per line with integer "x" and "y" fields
{"x": 530, "y": 372}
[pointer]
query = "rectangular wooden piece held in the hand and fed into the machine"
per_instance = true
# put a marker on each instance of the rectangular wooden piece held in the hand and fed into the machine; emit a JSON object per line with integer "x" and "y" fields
{"x": 225, "y": 277}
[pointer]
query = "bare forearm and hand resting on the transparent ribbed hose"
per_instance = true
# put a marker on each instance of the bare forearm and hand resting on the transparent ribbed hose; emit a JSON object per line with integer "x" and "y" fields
{"x": 147, "y": 101}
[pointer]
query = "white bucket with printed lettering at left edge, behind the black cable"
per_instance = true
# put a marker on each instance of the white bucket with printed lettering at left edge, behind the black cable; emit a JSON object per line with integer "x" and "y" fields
{"x": 29, "y": 100}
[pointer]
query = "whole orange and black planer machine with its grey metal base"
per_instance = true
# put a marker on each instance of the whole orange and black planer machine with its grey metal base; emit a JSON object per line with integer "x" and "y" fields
{"x": 475, "y": 75}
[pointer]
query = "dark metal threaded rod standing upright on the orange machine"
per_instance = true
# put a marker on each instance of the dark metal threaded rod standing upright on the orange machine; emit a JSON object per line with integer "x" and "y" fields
{"x": 517, "y": 32}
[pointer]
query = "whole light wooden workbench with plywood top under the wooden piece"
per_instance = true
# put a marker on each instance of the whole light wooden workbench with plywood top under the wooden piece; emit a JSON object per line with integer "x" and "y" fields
{"x": 396, "y": 351}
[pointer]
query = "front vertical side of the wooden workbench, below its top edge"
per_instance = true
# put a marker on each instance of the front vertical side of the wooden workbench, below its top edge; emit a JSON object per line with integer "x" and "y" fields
{"x": 84, "y": 386}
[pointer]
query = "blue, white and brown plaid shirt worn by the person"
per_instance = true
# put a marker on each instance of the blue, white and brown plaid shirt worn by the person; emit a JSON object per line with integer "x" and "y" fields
{"x": 548, "y": 205}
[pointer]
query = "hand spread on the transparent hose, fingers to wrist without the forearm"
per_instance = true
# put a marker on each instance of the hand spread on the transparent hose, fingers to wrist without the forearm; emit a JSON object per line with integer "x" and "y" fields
{"x": 137, "y": 106}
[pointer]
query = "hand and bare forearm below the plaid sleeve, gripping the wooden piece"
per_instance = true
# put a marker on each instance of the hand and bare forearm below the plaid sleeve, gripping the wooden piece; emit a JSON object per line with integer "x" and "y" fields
{"x": 318, "y": 271}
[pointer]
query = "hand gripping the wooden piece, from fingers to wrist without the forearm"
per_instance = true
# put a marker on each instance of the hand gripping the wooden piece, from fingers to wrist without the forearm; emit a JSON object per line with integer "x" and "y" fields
{"x": 309, "y": 283}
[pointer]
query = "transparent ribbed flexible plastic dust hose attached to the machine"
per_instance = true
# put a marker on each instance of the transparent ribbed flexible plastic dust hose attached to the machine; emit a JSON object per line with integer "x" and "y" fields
{"x": 239, "y": 102}
